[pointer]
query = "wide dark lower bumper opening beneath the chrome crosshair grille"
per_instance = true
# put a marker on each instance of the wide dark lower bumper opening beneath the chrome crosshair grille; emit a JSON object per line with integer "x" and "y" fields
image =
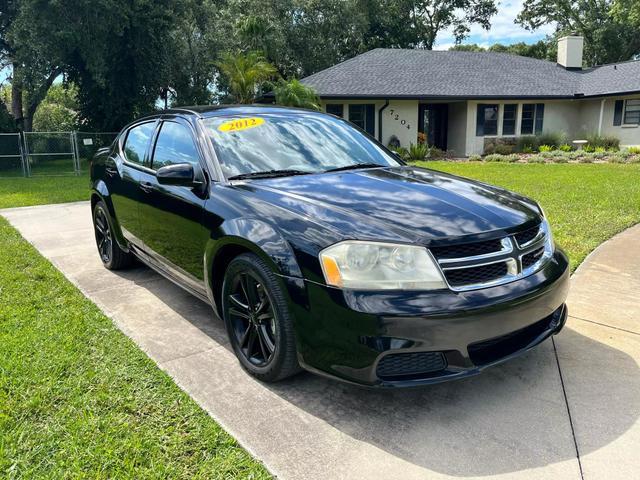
{"x": 488, "y": 351}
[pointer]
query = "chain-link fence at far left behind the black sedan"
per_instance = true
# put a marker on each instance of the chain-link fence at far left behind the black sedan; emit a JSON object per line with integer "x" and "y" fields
{"x": 49, "y": 153}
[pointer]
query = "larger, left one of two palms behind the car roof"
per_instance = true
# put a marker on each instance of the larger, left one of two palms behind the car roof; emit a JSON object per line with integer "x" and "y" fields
{"x": 245, "y": 72}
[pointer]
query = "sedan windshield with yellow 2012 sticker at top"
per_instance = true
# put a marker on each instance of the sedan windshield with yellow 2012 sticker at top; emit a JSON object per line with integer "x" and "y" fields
{"x": 290, "y": 143}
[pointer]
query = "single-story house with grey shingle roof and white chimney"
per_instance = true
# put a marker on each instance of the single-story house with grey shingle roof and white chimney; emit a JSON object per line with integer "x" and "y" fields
{"x": 462, "y": 101}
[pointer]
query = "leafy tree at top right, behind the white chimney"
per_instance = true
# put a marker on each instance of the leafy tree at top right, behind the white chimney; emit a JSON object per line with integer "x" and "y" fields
{"x": 608, "y": 38}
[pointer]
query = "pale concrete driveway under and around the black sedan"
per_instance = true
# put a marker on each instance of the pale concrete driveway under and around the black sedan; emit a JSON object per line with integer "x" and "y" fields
{"x": 567, "y": 410}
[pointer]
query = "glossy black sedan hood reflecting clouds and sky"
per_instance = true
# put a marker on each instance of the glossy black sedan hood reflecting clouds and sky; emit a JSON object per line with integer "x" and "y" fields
{"x": 398, "y": 203}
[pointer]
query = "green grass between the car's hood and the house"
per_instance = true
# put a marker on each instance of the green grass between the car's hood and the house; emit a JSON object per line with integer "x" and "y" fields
{"x": 586, "y": 203}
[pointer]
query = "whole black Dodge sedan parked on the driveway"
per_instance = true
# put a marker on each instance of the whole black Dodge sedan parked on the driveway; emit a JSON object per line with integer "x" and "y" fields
{"x": 321, "y": 250}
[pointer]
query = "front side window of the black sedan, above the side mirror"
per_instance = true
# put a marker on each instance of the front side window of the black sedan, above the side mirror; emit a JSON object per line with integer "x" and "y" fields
{"x": 174, "y": 145}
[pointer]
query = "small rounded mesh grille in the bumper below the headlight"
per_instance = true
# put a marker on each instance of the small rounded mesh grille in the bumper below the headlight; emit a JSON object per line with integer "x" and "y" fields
{"x": 404, "y": 365}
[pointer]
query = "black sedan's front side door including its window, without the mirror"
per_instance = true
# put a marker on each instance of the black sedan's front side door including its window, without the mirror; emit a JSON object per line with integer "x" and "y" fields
{"x": 171, "y": 217}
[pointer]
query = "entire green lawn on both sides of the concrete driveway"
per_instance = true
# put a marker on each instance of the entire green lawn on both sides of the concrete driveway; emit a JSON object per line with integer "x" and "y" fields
{"x": 79, "y": 399}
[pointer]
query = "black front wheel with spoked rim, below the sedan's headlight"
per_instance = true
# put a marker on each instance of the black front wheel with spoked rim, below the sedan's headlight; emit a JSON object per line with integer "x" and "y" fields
{"x": 257, "y": 319}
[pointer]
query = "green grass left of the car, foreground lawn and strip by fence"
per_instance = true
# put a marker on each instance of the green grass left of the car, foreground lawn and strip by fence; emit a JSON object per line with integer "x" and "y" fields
{"x": 77, "y": 397}
